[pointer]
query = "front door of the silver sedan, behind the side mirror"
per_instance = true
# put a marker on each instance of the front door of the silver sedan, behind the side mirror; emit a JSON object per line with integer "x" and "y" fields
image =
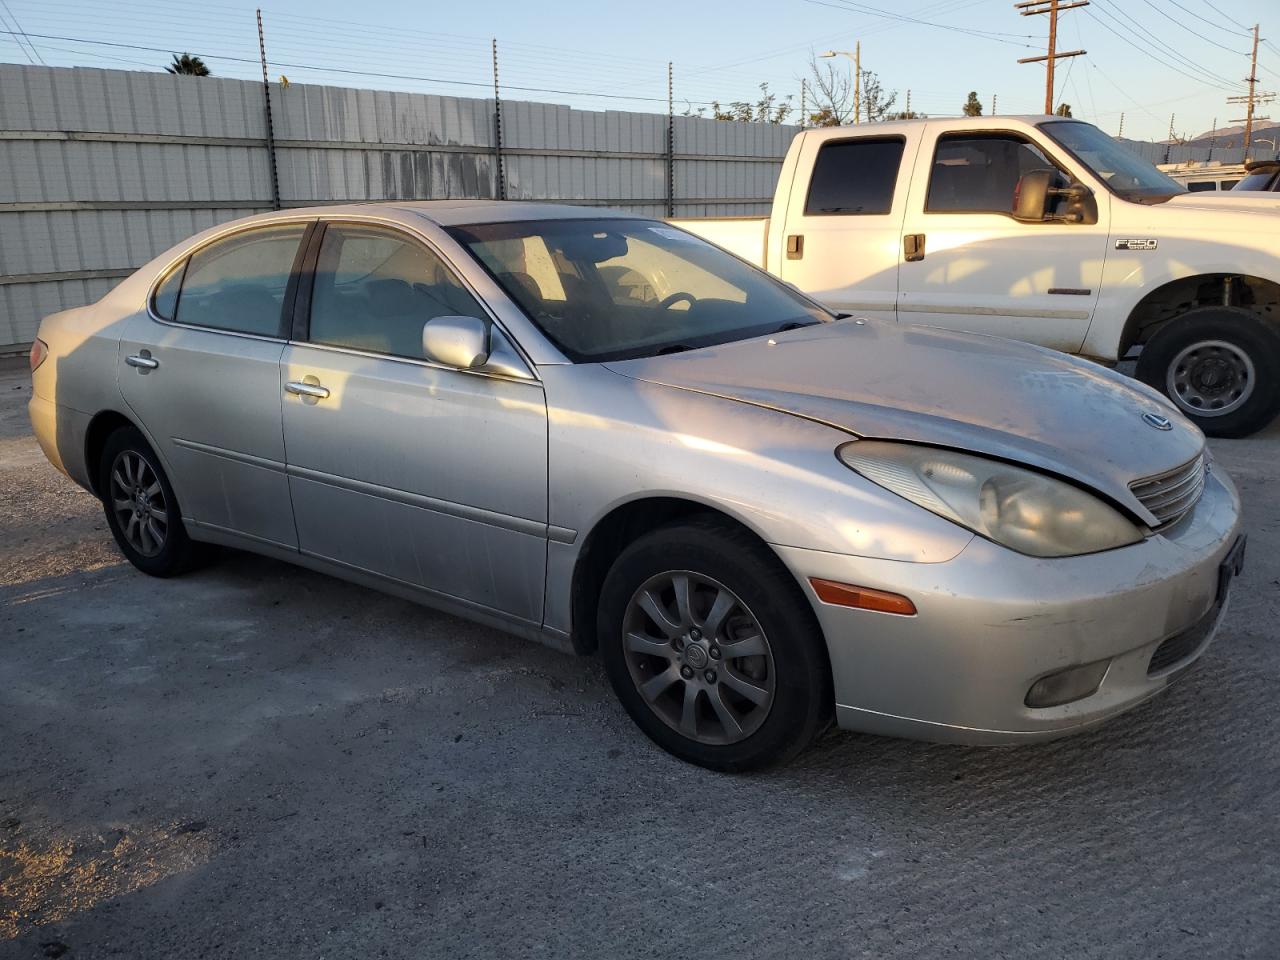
{"x": 400, "y": 467}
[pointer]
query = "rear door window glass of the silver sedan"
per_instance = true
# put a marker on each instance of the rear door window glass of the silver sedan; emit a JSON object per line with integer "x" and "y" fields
{"x": 239, "y": 284}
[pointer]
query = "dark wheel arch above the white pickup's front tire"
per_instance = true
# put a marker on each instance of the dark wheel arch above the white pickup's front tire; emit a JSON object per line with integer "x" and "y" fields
{"x": 1173, "y": 299}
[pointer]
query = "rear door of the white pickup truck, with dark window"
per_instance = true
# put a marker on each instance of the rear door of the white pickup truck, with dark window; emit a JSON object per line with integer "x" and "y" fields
{"x": 844, "y": 226}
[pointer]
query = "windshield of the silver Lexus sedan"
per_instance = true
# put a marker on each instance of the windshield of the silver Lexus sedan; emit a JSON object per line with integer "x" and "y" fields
{"x": 619, "y": 289}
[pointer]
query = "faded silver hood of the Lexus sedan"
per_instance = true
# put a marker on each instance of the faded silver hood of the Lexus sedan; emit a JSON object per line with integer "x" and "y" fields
{"x": 982, "y": 395}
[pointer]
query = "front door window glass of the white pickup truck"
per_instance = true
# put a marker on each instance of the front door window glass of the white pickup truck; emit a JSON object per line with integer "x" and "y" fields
{"x": 979, "y": 173}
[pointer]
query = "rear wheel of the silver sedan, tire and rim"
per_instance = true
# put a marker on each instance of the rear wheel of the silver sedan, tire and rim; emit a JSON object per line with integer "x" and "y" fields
{"x": 141, "y": 508}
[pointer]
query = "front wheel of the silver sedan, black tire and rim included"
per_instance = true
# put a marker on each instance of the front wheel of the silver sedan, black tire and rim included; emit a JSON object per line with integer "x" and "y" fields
{"x": 714, "y": 650}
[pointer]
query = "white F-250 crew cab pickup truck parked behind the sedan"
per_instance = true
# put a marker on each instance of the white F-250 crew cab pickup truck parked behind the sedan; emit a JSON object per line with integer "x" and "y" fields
{"x": 1043, "y": 230}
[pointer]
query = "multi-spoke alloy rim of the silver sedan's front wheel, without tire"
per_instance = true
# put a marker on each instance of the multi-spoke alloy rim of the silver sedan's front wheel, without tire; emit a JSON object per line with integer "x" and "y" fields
{"x": 700, "y": 657}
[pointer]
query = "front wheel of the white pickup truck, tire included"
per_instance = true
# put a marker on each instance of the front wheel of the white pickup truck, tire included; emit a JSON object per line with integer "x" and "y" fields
{"x": 1220, "y": 365}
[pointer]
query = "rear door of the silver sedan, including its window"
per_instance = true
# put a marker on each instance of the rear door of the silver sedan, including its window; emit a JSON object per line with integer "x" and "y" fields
{"x": 200, "y": 369}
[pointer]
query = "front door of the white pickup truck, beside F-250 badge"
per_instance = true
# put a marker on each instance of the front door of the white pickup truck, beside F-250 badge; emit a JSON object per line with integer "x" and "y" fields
{"x": 980, "y": 269}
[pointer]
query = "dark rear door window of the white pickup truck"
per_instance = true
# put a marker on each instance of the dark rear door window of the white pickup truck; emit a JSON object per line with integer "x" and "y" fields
{"x": 856, "y": 177}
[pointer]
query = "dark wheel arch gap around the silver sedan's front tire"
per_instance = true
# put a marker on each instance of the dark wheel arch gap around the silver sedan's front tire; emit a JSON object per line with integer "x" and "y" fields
{"x": 614, "y": 533}
